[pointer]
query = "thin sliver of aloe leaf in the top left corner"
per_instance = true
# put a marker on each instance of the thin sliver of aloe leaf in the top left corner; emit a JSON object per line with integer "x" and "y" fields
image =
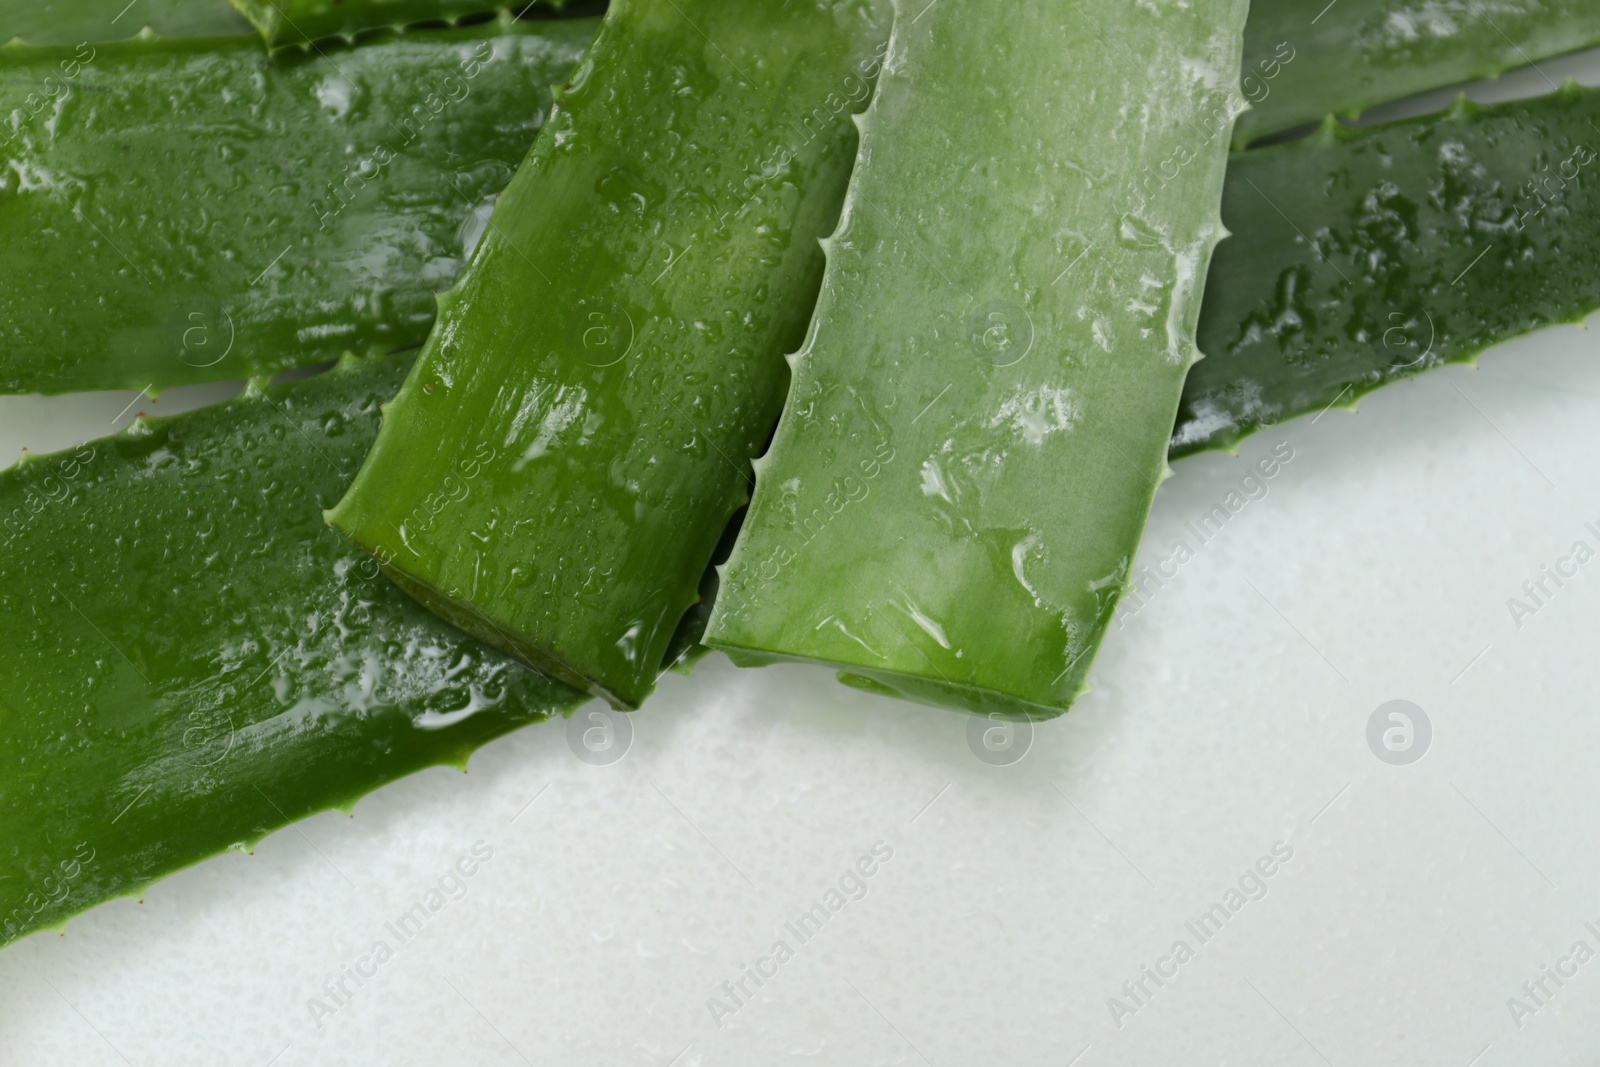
{"x": 94, "y": 22}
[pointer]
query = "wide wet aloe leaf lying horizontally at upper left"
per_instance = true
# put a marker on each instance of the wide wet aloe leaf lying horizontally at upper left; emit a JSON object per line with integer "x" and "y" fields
{"x": 183, "y": 212}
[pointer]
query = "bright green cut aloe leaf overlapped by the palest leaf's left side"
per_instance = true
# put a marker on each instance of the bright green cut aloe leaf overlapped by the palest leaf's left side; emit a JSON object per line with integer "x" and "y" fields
{"x": 577, "y": 433}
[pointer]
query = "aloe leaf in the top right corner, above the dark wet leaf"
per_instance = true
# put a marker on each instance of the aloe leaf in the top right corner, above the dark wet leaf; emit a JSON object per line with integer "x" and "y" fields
{"x": 1306, "y": 60}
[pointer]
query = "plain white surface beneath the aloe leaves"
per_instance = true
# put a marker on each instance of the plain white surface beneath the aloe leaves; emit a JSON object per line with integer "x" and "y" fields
{"x": 1228, "y": 716}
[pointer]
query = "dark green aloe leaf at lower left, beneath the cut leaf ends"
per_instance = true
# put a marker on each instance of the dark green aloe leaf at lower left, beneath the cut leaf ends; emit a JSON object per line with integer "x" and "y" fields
{"x": 194, "y": 660}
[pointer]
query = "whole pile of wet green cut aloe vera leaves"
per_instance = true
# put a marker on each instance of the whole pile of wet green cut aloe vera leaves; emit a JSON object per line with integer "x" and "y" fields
{"x": 850, "y": 334}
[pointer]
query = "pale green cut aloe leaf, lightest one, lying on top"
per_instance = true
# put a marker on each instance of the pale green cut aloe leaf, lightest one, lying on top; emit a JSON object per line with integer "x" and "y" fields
{"x": 980, "y": 417}
